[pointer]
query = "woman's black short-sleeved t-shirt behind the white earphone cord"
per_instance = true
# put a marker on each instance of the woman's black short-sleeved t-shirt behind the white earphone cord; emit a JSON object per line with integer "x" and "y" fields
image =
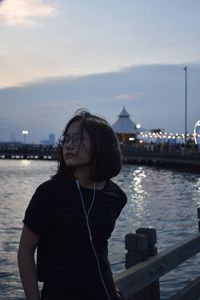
{"x": 56, "y": 214}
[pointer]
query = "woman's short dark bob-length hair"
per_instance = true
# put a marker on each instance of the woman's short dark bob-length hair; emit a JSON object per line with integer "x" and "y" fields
{"x": 106, "y": 153}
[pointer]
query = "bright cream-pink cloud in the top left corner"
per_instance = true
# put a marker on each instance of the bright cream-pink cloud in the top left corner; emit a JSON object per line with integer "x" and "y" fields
{"x": 23, "y": 12}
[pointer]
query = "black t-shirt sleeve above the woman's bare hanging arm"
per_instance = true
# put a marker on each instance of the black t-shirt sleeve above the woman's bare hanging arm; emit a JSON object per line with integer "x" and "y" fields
{"x": 38, "y": 215}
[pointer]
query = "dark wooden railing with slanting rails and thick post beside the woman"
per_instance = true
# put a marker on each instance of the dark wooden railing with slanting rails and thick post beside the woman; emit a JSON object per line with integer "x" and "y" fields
{"x": 144, "y": 267}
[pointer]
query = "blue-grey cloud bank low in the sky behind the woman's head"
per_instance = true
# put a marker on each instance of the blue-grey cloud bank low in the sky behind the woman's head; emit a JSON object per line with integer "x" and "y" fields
{"x": 152, "y": 95}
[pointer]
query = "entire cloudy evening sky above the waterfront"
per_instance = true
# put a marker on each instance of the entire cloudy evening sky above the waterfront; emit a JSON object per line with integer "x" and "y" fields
{"x": 57, "y": 56}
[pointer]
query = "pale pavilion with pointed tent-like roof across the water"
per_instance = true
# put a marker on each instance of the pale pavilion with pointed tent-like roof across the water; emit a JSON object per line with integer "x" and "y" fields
{"x": 125, "y": 128}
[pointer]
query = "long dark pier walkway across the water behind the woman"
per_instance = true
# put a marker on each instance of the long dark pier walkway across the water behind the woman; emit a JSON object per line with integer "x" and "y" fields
{"x": 163, "y": 155}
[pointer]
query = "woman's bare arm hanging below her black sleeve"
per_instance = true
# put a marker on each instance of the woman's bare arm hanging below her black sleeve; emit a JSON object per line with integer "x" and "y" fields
{"x": 26, "y": 263}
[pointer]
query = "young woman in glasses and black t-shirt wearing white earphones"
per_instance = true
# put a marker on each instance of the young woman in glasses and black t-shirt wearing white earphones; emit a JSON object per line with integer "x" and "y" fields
{"x": 70, "y": 217}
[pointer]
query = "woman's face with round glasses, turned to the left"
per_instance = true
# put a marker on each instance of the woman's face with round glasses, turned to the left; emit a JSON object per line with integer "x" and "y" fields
{"x": 77, "y": 146}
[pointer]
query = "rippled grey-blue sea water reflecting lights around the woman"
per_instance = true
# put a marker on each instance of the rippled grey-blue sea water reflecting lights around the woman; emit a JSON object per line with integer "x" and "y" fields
{"x": 164, "y": 199}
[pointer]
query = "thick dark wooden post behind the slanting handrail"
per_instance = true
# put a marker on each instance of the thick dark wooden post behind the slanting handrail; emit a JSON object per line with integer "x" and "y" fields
{"x": 140, "y": 246}
